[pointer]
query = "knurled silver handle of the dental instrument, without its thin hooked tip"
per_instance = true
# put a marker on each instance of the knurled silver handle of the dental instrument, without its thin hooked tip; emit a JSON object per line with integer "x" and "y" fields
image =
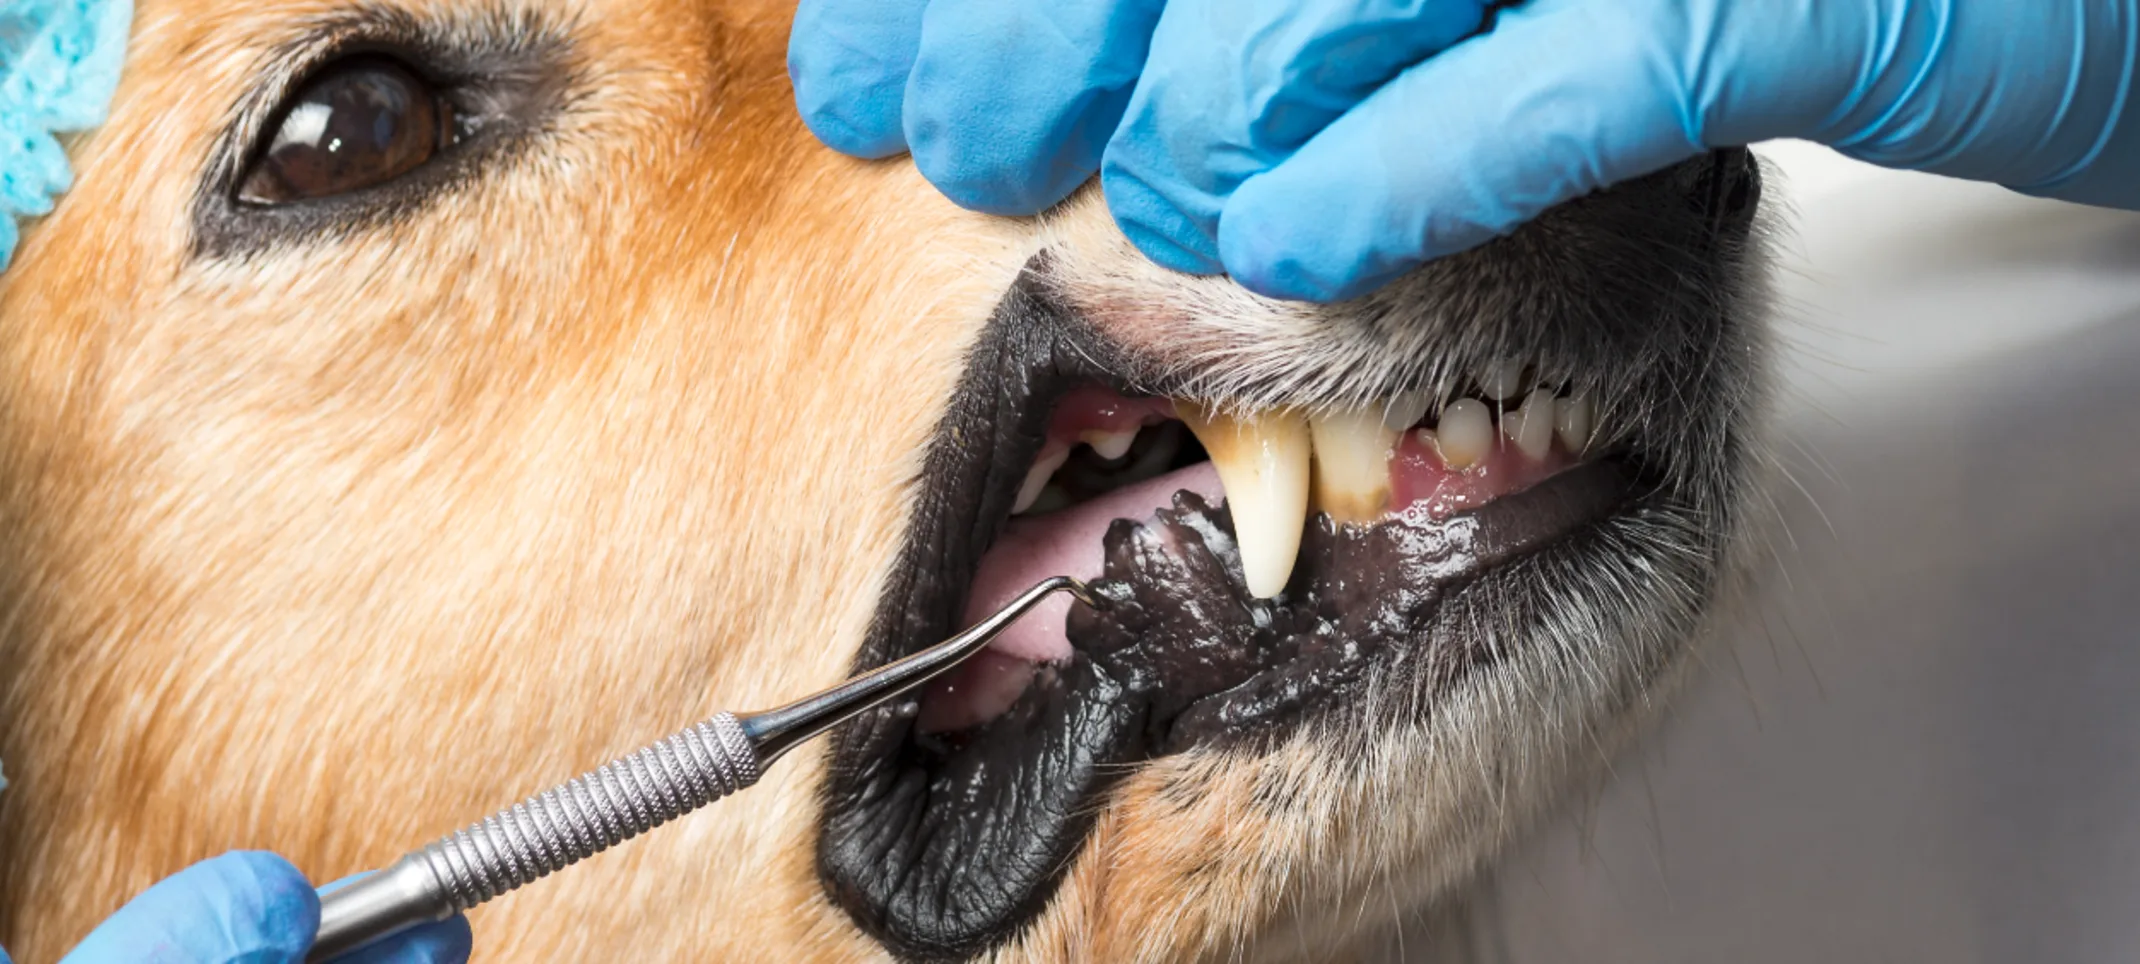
{"x": 540, "y": 837}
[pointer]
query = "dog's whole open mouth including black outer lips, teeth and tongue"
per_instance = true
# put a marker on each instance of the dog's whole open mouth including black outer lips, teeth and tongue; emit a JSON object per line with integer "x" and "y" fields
{"x": 1262, "y": 573}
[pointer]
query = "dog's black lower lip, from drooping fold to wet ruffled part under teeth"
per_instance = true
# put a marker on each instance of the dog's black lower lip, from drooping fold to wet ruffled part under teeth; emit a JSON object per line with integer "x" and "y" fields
{"x": 960, "y": 834}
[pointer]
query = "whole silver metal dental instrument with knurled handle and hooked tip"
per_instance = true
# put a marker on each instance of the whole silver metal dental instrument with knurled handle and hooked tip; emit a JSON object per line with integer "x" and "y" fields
{"x": 626, "y": 798}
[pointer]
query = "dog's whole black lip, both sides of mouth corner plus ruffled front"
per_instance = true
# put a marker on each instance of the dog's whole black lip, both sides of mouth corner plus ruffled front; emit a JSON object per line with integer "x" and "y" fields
{"x": 945, "y": 852}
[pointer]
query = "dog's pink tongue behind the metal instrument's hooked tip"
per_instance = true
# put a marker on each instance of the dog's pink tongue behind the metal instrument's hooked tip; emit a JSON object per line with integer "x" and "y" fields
{"x": 1067, "y": 543}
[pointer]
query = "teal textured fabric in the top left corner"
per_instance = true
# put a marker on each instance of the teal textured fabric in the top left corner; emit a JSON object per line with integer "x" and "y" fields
{"x": 59, "y": 65}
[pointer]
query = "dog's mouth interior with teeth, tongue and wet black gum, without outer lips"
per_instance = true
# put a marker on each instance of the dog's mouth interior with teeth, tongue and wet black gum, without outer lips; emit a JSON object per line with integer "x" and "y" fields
{"x": 1227, "y": 612}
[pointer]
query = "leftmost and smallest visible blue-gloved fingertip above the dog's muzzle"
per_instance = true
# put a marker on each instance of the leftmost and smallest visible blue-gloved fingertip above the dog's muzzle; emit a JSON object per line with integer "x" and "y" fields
{"x": 849, "y": 63}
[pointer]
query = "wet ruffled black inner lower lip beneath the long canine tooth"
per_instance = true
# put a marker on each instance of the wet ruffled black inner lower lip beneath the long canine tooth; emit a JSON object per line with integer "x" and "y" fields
{"x": 1221, "y": 667}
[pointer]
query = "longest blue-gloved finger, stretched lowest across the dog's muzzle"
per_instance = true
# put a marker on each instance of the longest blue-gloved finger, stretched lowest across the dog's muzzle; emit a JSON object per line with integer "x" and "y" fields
{"x": 1557, "y": 102}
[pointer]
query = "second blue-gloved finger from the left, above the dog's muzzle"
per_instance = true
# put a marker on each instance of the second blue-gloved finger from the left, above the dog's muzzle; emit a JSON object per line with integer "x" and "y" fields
{"x": 1011, "y": 102}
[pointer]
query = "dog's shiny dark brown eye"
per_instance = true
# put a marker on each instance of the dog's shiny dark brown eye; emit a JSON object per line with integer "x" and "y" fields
{"x": 354, "y": 125}
